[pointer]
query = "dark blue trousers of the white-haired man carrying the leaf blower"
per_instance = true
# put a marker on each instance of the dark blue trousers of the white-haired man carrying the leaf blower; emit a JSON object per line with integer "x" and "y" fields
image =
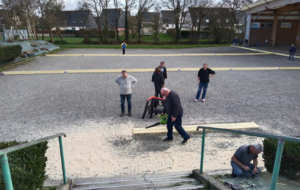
{"x": 178, "y": 126}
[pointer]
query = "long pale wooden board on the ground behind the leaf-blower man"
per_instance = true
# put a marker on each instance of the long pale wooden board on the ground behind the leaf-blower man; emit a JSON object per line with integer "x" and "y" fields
{"x": 193, "y": 128}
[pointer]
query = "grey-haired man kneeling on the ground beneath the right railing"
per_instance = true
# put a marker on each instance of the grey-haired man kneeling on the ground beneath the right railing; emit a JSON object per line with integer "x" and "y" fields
{"x": 241, "y": 159}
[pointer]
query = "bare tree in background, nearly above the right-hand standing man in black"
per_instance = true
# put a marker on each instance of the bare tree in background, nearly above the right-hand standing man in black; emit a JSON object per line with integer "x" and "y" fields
{"x": 198, "y": 12}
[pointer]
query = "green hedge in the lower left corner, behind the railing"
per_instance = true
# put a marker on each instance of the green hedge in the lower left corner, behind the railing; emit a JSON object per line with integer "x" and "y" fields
{"x": 27, "y": 166}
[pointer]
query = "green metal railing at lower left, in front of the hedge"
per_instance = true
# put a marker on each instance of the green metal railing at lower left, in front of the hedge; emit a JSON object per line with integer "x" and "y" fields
{"x": 5, "y": 164}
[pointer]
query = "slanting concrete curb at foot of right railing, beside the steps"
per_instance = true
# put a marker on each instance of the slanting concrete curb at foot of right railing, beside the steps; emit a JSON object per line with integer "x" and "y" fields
{"x": 206, "y": 179}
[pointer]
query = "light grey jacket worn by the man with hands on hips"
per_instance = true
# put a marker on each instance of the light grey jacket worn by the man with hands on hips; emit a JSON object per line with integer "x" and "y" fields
{"x": 126, "y": 84}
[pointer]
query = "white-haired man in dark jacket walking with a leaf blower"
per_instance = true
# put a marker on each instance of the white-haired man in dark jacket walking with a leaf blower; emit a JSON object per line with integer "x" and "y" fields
{"x": 174, "y": 110}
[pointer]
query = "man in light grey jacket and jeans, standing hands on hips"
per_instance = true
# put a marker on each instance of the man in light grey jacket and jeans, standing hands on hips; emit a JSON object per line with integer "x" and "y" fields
{"x": 126, "y": 82}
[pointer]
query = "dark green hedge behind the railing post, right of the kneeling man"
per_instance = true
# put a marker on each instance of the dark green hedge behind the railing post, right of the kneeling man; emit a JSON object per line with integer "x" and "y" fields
{"x": 290, "y": 162}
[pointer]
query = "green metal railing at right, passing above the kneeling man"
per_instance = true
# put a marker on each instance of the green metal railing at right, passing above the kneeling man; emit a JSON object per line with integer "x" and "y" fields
{"x": 280, "y": 145}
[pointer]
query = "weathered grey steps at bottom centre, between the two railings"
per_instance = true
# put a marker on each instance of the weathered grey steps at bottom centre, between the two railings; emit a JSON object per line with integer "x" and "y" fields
{"x": 159, "y": 181}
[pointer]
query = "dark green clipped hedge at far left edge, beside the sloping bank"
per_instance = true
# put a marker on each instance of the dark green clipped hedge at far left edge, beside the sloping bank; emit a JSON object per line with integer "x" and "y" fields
{"x": 8, "y": 53}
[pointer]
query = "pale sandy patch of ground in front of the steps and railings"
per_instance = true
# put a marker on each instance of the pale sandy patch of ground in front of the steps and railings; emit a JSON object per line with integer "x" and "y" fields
{"x": 88, "y": 154}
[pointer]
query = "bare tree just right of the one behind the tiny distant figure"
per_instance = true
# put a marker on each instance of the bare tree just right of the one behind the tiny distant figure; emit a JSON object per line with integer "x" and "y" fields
{"x": 144, "y": 6}
